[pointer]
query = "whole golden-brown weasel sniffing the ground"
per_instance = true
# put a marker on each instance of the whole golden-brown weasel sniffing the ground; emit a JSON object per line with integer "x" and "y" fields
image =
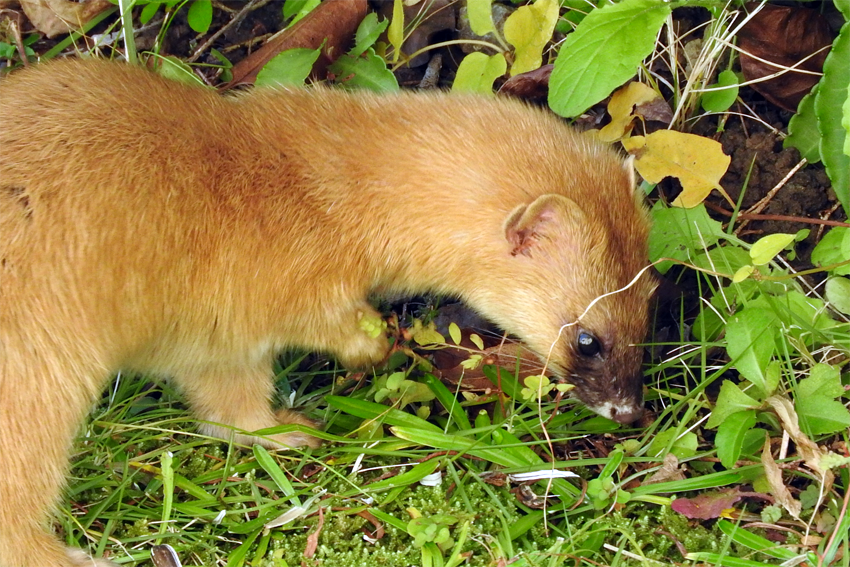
{"x": 152, "y": 226}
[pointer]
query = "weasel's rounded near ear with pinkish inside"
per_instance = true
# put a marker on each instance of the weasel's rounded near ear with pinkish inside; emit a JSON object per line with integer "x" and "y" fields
{"x": 548, "y": 217}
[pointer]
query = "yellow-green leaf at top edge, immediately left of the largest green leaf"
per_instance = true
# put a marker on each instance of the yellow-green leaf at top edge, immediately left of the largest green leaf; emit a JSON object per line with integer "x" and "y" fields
{"x": 529, "y": 29}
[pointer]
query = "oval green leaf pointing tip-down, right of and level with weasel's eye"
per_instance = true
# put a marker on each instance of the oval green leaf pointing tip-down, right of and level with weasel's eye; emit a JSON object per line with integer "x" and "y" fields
{"x": 750, "y": 342}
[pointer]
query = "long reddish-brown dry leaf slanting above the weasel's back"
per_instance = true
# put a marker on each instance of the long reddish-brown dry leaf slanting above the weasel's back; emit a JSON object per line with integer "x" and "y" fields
{"x": 332, "y": 22}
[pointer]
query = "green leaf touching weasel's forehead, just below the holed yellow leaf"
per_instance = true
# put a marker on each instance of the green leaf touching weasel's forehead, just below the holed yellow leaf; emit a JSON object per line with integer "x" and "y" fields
{"x": 679, "y": 233}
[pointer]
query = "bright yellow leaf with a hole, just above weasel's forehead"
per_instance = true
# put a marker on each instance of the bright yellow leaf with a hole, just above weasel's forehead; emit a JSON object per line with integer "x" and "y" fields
{"x": 697, "y": 162}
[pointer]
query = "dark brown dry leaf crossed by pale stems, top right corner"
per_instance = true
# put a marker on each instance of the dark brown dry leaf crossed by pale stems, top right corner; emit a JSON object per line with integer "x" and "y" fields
{"x": 783, "y": 35}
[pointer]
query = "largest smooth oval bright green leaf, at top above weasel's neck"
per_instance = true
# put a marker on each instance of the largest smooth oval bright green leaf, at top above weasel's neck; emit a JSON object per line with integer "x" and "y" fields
{"x": 603, "y": 53}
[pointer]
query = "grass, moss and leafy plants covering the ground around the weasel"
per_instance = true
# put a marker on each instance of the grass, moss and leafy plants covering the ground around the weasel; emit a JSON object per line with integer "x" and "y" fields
{"x": 742, "y": 458}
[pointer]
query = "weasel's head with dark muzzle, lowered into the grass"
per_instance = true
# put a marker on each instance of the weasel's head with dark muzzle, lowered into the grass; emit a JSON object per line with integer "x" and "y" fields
{"x": 578, "y": 291}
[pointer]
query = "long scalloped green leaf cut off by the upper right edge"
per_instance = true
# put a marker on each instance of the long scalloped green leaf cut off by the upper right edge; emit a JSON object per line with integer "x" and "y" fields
{"x": 832, "y": 94}
